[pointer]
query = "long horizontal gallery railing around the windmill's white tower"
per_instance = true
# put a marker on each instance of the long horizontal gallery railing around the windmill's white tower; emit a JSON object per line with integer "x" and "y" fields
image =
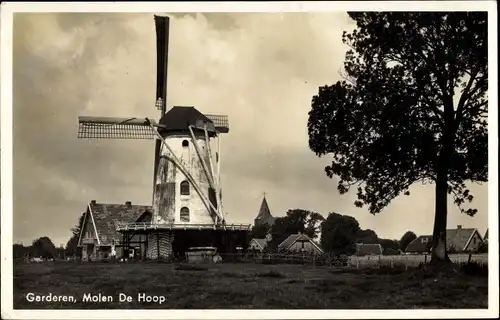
{"x": 120, "y": 226}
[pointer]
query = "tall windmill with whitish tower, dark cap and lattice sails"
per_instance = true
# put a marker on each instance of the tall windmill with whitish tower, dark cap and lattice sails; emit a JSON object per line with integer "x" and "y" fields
{"x": 187, "y": 182}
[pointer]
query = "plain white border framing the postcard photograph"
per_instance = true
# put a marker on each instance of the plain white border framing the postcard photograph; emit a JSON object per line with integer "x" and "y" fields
{"x": 7, "y": 10}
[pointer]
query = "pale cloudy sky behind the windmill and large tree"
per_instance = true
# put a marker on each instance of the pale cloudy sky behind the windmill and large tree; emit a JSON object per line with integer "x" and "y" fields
{"x": 260, "y": 69}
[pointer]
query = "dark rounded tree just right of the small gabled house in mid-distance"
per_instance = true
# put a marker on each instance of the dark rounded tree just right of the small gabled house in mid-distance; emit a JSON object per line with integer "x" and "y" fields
{"x": 338, "y": 234}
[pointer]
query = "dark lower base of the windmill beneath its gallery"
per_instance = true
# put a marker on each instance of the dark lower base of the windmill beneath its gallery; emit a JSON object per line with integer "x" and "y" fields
{"x": 171, "y": 244}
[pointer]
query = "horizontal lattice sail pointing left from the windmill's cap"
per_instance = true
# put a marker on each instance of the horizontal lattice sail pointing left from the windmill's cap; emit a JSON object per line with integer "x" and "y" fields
{"x": 114, "y": 128}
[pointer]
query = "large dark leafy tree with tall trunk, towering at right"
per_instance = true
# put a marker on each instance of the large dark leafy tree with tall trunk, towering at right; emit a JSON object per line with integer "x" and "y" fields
{"x": 412, "y": 107}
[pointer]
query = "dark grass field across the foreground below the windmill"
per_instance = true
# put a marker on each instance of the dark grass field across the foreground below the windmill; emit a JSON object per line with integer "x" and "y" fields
{"x": 237, "y": 286}
